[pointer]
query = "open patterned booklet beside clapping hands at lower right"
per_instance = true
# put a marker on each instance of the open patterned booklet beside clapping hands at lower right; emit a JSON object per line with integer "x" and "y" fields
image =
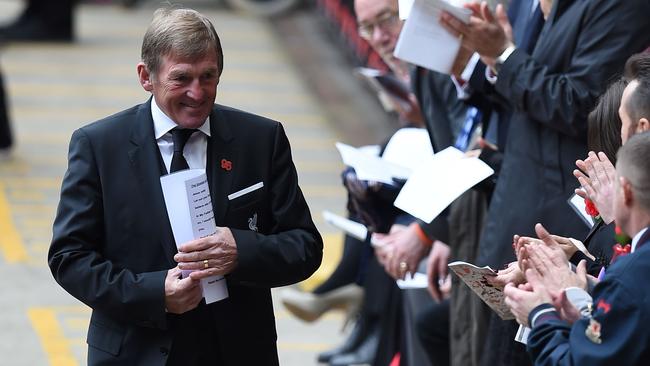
{"x": 476, "y": 278}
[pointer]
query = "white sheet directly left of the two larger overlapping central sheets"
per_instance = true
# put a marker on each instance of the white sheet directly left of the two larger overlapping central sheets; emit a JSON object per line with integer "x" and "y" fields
{"x": 369, "y": 167}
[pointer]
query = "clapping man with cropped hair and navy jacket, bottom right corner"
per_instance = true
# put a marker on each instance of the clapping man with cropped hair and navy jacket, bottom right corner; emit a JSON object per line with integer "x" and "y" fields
{"x": 613, "y": 330}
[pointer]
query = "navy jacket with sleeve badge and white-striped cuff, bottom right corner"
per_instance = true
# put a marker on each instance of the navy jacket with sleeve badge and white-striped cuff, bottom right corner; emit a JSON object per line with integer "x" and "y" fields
{"x": 622, "y": 311}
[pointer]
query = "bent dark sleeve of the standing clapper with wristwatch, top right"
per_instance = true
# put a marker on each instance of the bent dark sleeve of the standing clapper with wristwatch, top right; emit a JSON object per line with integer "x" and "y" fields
{"x": 562, "y": 100}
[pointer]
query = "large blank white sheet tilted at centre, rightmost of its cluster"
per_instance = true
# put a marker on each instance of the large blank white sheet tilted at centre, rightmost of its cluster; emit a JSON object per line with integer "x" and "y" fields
{"x": 438, "y": 182}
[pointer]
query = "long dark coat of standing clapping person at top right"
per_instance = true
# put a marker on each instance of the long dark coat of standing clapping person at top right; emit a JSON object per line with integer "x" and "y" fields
{"x": 582, "y": 46}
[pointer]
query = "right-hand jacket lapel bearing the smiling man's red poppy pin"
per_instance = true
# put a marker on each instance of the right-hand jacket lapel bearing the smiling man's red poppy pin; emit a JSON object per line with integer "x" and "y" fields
{"x": 222, "y": 163}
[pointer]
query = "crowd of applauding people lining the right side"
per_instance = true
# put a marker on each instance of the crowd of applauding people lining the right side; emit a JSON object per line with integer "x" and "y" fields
{"x": 555, "y": 97}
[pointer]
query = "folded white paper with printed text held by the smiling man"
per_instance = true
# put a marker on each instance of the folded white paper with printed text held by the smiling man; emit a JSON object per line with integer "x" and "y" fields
{"x": 189, "y": 207}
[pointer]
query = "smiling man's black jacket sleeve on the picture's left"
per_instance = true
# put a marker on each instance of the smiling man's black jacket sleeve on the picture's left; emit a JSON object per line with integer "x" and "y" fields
{"x": 75, "y": 255}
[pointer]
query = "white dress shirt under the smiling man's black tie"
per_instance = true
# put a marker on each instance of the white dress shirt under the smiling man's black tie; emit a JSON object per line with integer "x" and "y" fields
{"x": 196, "y": 148}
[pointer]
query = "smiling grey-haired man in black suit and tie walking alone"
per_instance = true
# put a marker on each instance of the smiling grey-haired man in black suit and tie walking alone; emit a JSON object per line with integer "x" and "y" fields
{"x": 113, "y": 247}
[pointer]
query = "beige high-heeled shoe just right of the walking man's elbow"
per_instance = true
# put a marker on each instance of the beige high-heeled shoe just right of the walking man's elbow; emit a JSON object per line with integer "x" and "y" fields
{"x": 308, "y": 306}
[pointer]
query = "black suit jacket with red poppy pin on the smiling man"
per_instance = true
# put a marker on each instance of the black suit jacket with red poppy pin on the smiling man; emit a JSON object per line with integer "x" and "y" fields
{"x": 112, "y": 243}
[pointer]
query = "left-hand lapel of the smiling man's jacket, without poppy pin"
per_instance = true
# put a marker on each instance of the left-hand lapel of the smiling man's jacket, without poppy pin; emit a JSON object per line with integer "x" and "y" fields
{"x": 145, "y": 162}
